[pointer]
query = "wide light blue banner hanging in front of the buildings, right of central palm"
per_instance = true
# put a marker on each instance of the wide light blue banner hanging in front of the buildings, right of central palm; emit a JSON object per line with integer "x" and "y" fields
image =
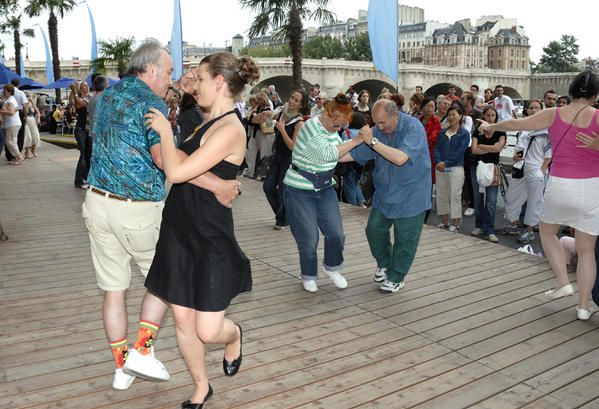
{"x": 382, "y": 32}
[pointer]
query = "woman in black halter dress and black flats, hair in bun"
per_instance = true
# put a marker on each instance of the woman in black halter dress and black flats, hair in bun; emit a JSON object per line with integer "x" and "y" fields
{"x": 198, "y": 267}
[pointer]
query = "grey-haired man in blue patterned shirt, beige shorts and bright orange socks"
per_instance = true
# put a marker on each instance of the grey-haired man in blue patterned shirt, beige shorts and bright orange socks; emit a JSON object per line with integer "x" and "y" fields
{"x": 123, "y": 206}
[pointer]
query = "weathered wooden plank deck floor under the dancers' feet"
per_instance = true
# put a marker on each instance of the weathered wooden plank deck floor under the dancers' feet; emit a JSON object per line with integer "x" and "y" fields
{"x": 470, "y": 329}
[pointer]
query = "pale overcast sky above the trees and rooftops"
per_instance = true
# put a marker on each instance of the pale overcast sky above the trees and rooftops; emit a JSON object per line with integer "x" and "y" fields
{"x": 217, "y": 21}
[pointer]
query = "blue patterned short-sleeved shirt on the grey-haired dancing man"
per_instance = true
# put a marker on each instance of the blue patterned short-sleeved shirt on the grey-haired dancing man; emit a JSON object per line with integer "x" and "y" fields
{"x": 121, "y": 160}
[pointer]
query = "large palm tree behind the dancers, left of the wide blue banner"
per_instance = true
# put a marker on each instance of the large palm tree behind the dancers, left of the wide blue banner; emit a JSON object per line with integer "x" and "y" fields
{"x": 286, "y": 16}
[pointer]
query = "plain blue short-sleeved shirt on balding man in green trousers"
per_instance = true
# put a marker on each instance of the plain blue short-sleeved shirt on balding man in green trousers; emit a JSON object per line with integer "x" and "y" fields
{"x": 400, "y": 191}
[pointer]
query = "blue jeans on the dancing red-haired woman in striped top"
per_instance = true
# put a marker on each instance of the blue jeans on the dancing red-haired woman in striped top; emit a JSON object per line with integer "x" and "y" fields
{"x": 307, "y": 212}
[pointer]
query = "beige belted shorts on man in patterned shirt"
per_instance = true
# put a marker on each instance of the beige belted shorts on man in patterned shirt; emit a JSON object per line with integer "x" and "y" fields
{"x": 118, "y": 232}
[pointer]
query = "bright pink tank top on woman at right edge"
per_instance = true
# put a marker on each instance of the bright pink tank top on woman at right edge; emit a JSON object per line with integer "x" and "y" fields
{"x": 569, "y": 161}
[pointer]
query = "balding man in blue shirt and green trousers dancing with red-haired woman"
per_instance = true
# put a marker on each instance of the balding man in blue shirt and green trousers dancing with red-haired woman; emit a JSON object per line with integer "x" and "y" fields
{"x": 402, "y": 181}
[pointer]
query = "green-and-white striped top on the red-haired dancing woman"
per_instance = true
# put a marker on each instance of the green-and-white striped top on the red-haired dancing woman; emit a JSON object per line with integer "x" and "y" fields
{"x": 315, "y": 151}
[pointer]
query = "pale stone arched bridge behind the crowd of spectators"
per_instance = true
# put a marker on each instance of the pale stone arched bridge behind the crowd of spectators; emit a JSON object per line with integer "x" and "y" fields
{"x": 337, "y": 75}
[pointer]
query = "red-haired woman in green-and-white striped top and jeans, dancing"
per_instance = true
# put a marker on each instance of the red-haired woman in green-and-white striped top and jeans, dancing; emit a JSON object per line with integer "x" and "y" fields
{"x": 310, "y": 198}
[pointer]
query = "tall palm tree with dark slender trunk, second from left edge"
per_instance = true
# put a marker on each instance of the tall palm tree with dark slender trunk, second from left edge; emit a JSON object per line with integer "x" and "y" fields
{"x": 60, "y": 7}
